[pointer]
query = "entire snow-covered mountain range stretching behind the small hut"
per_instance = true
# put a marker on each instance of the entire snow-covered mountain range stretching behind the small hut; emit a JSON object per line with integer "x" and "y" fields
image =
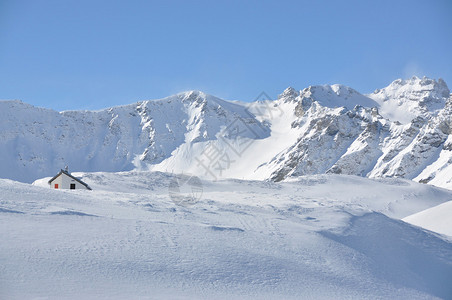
{"x": 403, "y": 130}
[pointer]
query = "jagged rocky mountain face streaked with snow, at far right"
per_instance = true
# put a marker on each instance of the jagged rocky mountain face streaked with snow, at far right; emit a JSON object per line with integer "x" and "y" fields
{"x": 366, "y": 143}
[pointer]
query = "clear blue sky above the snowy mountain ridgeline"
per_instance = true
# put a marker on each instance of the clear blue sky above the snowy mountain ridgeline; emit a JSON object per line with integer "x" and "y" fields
{"x": 93, "y": 54}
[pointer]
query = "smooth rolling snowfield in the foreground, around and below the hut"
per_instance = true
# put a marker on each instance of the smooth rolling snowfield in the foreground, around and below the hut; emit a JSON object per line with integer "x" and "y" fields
{"x": 316, "y": 237}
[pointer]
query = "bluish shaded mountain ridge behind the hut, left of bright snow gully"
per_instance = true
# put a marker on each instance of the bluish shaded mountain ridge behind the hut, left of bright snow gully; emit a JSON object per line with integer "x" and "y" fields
{"x": 35, "y": 142}
